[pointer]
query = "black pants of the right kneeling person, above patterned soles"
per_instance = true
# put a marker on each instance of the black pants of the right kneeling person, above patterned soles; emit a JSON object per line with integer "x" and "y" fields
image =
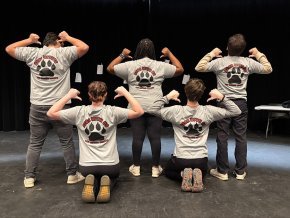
{"x": 175, "y": 165}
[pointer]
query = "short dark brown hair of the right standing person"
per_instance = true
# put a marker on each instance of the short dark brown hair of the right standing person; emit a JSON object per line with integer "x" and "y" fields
{"x": 236, "y": 45}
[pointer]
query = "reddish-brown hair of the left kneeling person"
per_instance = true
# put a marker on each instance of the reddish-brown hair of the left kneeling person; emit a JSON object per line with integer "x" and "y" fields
{"x": 97, "y": 91}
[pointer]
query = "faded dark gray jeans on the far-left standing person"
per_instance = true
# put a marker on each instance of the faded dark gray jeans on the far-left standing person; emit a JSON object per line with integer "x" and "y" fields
{"x": 39, "y": 127}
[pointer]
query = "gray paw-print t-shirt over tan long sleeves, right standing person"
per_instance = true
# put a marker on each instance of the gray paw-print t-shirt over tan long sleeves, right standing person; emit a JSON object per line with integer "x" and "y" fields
{"x": 232, "y": 74}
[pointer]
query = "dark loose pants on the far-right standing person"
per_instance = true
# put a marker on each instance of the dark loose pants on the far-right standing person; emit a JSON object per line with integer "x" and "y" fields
{"x": 239, "y": 127}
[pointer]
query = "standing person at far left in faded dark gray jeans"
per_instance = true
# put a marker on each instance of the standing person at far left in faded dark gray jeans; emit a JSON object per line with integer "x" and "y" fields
{"x": 50, "y": 81}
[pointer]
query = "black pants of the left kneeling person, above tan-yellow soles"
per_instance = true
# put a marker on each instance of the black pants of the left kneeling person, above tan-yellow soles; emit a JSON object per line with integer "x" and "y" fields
{"x": 113, "y": 171}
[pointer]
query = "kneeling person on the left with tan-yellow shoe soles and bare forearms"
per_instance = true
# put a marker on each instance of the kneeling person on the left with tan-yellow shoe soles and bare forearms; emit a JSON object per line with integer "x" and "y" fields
{"x": 97, "y": 127}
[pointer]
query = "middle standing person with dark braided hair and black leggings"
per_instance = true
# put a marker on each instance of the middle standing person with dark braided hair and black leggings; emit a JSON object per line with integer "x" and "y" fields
{"x": 144, "y": 76}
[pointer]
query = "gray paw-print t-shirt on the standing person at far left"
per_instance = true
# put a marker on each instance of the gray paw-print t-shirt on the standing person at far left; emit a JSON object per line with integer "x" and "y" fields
{"x": 50, "y": 72}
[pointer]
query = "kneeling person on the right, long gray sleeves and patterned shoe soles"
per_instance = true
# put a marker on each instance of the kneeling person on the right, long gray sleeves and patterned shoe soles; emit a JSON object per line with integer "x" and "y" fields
{"x": 191, "y": 122}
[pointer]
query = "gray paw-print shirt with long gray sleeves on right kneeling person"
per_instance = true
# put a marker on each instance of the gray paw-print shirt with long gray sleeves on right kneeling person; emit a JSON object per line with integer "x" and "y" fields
{"x": 191, "y": 126}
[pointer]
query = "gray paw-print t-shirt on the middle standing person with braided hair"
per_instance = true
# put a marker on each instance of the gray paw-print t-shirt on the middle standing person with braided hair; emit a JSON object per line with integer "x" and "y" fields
{"x": 145, "y": 77}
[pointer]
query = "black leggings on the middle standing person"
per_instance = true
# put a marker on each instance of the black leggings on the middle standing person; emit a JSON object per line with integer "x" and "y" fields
{"x": 152, "y": 126}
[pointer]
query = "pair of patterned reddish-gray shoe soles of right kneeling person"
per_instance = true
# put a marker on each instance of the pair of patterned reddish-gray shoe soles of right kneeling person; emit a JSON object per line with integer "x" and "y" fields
{"x": 189, "y": 175}
